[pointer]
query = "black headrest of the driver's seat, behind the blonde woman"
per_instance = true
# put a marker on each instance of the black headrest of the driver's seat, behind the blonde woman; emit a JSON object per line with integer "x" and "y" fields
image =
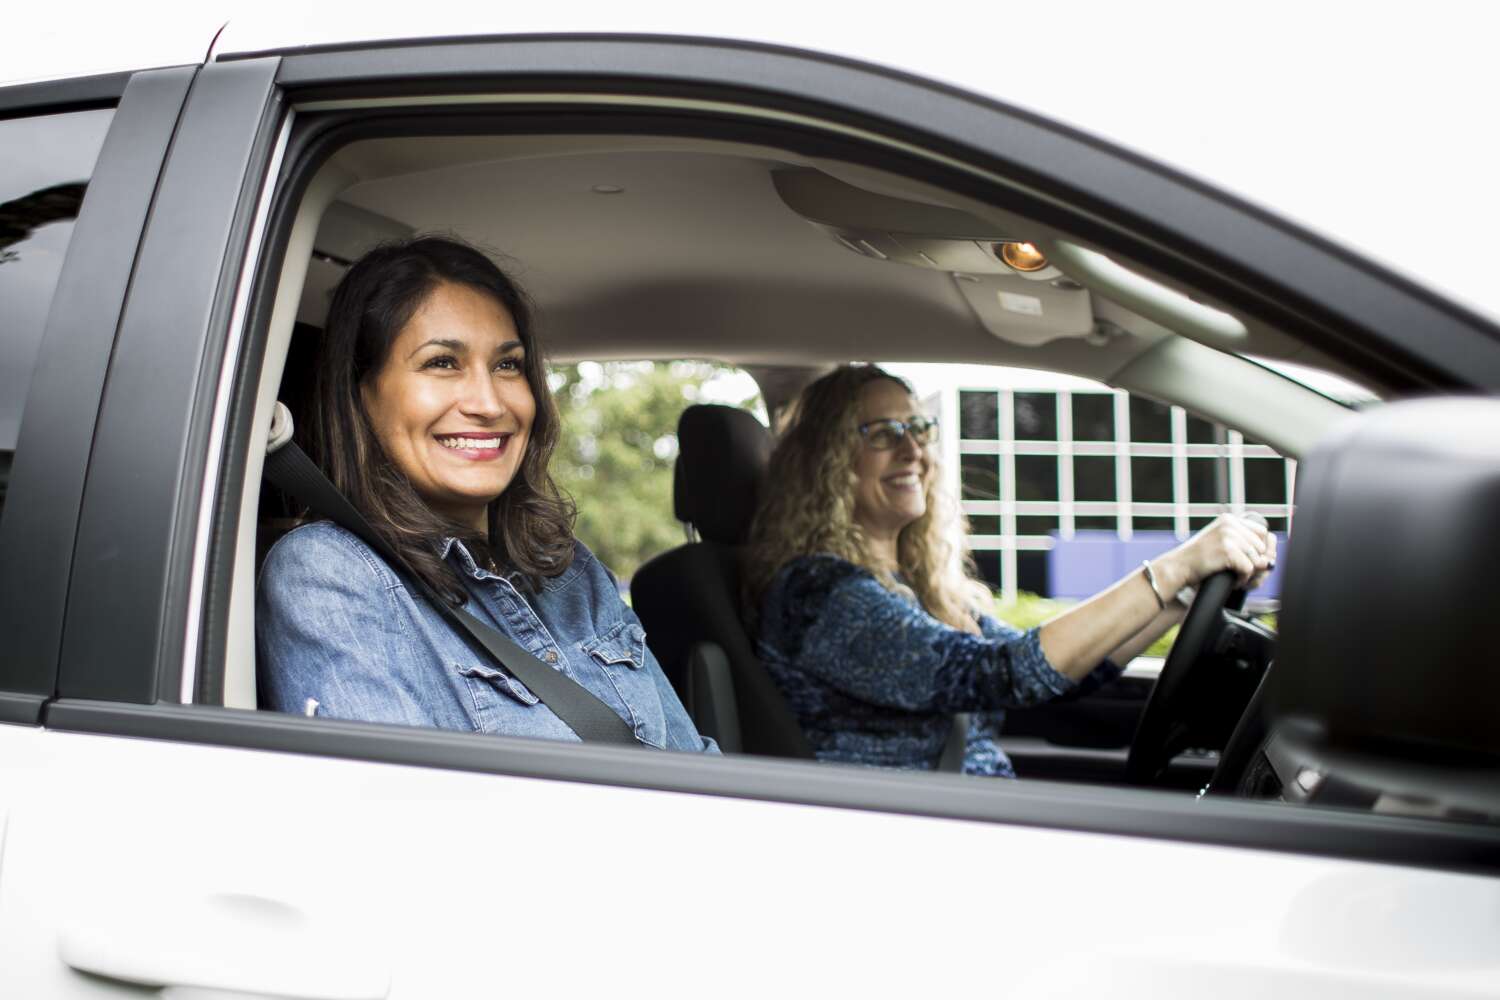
{"x": 721, "y": 461}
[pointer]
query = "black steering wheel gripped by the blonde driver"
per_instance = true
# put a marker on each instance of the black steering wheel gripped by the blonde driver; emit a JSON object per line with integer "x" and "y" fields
{"x": 1163, "y": 726}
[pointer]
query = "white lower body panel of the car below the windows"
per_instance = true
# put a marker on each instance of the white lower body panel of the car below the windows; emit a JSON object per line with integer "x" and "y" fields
{"x": 233, "y": 863}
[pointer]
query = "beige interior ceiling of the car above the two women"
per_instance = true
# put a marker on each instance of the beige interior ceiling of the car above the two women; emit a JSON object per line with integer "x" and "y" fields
{"x": 698, "y": 254}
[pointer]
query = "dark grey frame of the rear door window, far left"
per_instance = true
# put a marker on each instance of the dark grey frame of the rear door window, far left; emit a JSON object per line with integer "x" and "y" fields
{"x": 64, "y": 403}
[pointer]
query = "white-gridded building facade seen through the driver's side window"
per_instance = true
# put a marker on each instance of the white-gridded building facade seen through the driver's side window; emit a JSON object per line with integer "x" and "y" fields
{"x": 1069, "y": 484}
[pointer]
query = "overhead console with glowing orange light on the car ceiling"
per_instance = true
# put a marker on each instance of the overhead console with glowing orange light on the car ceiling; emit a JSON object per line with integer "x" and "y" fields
{"x": 1015, "y": 292}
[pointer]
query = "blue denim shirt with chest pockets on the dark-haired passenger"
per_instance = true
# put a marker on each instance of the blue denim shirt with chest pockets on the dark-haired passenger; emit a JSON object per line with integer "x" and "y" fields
{"x": 340, "y": 635}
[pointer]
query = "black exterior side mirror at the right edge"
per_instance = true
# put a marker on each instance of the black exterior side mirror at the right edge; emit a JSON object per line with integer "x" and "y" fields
{"x": 1393, "y": 593}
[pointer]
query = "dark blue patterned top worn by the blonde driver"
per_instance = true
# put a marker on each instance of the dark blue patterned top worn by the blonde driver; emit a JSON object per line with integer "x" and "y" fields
{"x": 875, "y": 680}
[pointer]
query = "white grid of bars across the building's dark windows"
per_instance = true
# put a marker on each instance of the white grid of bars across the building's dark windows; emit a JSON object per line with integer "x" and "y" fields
{"x": 1124, "y": 509}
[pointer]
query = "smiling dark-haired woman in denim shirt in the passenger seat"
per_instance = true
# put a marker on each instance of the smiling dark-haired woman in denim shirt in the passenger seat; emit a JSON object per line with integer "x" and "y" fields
{"x": 434, "y": 418}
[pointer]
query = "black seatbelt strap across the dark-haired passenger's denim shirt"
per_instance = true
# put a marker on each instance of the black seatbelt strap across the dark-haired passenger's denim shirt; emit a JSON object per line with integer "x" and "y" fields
{"x": 290, "y": 469}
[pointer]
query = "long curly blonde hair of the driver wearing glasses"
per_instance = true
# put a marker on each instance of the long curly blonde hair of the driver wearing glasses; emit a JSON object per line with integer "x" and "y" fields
{"x": 811, "y": 509}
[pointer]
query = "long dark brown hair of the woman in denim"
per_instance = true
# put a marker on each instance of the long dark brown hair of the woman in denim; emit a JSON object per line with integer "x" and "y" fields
{"x": 532, "y": 522}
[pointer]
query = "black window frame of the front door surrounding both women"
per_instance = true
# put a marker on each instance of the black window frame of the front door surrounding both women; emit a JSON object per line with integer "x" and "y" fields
{"x": 143, "y": 602}
